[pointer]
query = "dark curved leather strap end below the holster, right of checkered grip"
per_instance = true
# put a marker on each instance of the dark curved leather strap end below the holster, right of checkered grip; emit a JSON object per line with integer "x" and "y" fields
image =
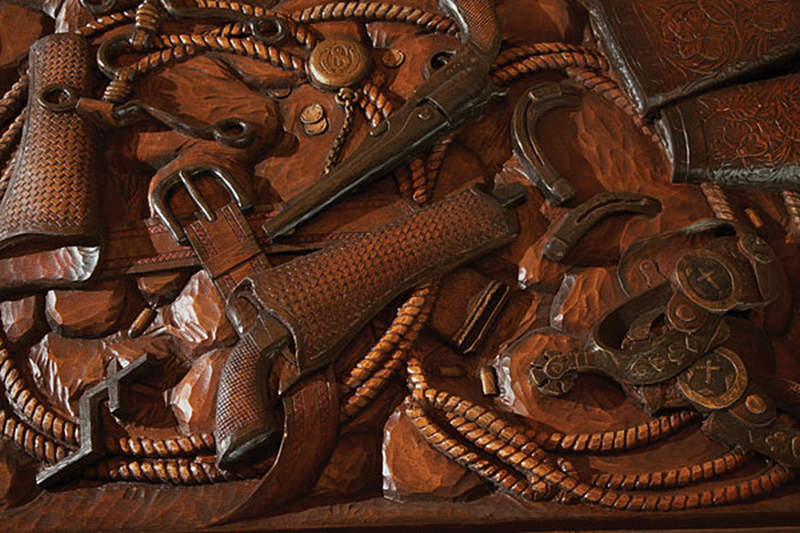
{"x": 310, "y": 426}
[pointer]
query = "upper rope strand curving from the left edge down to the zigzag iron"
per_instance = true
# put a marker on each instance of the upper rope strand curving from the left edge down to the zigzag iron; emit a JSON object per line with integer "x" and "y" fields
{"x": 30, "y": 409}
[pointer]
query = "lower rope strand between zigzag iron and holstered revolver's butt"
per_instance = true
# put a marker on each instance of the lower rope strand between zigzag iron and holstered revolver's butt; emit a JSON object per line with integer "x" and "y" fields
{"x": 182, "y": 471}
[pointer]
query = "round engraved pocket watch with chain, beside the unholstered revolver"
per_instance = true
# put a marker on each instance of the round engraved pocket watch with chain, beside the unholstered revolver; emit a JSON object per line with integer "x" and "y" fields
{"x": 337, "y": 63}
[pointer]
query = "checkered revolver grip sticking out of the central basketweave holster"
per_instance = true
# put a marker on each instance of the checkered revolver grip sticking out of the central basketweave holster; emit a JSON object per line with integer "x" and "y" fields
{"x": 245, "y": 422}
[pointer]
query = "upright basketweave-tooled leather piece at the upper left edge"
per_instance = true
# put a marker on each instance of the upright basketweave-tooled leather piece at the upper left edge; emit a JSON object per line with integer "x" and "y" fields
{"x": 52, "y": 196}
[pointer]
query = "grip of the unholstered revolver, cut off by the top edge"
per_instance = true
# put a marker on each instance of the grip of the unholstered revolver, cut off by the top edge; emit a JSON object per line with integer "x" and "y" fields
{"x": 478, "y": 23}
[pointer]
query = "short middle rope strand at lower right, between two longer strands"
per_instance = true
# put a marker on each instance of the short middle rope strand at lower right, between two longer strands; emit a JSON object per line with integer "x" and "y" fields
{"x": 677, "y": 477}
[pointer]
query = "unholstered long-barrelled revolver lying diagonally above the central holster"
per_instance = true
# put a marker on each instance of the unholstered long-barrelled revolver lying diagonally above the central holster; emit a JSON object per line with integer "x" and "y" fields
{"x": 453, "y": 94}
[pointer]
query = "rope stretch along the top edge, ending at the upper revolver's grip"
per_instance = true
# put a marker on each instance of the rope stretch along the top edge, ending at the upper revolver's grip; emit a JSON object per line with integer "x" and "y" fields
{"x": 376, "y": 11}
